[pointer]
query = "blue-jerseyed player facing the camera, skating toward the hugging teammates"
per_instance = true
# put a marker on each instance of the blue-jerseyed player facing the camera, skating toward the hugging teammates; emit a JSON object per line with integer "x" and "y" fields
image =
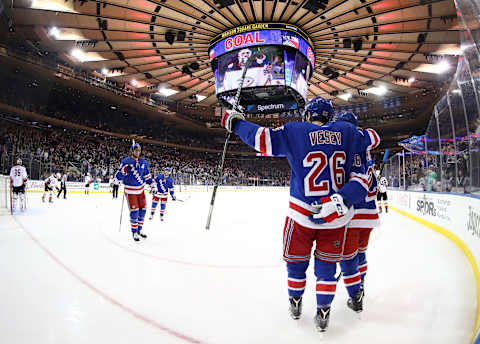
{"x": 134, "y": 174}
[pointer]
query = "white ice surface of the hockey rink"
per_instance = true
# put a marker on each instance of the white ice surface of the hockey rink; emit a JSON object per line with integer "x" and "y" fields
{"x": 67, "y": 275}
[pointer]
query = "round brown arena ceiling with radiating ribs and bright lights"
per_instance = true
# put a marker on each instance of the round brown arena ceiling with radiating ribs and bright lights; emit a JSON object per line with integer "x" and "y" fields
{"x": 403, "y": 46}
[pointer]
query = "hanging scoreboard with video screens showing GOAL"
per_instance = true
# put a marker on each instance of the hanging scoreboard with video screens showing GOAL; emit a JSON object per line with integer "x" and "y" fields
{"x": 287, "y": 60}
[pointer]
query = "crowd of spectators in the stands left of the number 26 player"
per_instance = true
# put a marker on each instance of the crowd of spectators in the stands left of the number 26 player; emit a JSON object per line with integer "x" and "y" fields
{"x": 46, "y": 149}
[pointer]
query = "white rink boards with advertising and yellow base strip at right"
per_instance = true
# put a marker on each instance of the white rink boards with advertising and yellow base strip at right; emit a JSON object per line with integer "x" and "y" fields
{"x": 455, "y": 216}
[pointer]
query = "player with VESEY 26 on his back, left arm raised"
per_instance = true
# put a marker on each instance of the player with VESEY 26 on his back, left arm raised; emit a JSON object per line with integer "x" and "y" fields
{"x": 327, "y": 177}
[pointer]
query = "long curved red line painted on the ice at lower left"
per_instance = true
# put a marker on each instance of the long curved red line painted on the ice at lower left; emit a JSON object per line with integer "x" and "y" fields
{"x": 106, "y": 296}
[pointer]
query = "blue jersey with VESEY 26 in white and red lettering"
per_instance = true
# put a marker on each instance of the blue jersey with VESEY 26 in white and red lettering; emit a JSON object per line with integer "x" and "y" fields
{"x": 324, "y": 160}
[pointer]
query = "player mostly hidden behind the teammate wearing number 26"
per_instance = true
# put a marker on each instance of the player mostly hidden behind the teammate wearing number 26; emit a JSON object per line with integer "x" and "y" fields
{"x": 364, "y": 220}
